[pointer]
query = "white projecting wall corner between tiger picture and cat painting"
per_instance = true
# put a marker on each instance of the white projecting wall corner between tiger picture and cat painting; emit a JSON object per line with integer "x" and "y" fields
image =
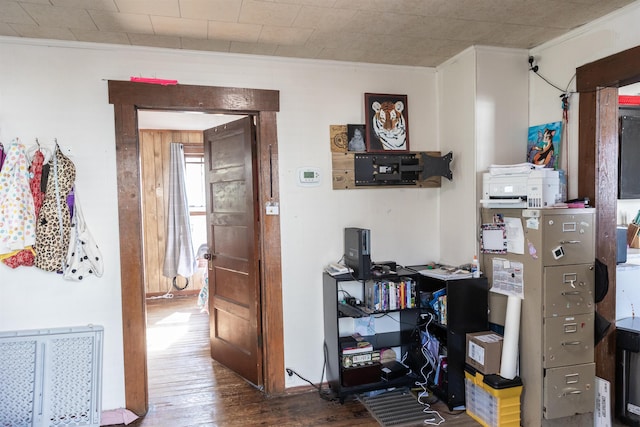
{"x": 483, "y": 115}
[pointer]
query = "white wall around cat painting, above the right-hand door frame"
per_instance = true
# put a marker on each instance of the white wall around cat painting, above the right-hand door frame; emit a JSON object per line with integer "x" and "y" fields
{"x": 558, "y": 60}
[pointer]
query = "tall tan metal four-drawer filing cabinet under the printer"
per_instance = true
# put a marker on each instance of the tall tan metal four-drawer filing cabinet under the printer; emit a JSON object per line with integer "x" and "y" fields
{"x": 557, "y": 316}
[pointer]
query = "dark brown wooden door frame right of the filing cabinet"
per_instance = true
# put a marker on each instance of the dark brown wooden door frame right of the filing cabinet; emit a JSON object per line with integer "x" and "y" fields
{"x": 598, "y": 83}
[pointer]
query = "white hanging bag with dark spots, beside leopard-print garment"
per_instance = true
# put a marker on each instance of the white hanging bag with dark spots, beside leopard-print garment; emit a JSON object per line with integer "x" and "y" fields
{"x": 83, "y": 256}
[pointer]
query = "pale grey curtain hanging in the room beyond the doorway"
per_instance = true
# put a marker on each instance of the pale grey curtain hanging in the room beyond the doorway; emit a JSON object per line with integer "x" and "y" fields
{"x": 179, "y": 258}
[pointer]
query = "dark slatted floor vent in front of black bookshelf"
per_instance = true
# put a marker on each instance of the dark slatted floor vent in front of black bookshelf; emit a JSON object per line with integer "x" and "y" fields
{"x": 396, "y": 408}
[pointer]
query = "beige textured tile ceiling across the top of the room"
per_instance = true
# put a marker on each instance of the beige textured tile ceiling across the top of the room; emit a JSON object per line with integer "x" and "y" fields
{"x": 404, "y": 32}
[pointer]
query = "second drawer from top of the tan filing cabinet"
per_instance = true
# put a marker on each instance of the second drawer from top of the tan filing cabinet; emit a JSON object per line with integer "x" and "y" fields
{"x": 568, "y": 290}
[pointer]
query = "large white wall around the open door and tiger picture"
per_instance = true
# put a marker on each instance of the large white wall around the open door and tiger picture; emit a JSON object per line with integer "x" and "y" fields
{"x": 59, "y": 90}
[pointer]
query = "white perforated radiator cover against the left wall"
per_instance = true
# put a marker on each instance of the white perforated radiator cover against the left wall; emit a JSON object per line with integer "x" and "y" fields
{"x": 51, "y": 377}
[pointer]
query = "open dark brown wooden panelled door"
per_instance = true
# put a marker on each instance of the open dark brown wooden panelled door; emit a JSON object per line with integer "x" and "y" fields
{"x": 234, "y": 261}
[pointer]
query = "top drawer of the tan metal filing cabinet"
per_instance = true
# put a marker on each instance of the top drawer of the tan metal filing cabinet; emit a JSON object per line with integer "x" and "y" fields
{"x": 568, "y": 239}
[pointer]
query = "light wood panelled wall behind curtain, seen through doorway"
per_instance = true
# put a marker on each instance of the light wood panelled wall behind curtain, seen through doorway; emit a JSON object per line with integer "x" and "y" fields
{"x": 154, "y": 165}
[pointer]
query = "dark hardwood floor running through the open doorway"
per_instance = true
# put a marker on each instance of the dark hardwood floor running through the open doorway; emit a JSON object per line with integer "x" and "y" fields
{"x": 188, "y": 388}
